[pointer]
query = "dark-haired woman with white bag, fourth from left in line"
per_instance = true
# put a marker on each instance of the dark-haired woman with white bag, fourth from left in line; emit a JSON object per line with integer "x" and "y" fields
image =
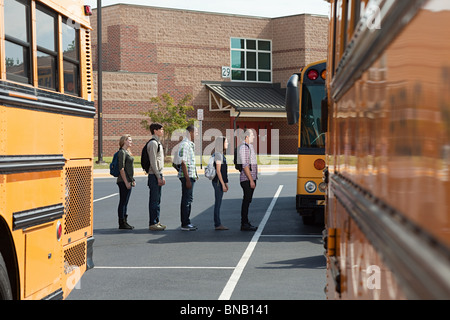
{"x": 220, "y": 181}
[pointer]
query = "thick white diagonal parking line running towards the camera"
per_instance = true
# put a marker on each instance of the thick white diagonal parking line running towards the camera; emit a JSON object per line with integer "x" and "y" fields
{"x": 235, "y": 276}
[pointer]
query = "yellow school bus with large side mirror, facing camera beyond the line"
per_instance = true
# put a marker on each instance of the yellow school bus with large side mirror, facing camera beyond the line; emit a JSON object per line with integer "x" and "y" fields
{"x": 304, "y": 94}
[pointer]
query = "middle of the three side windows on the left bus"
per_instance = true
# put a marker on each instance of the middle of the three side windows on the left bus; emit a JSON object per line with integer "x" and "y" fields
{"x": 46, "y": 48}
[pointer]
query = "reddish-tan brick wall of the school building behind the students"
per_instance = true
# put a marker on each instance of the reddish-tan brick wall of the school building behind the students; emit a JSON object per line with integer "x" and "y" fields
{"x": 149, "y": 51}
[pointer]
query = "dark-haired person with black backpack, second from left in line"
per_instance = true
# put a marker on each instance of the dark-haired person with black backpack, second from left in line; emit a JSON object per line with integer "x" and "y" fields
{"x": 155, "y": 176}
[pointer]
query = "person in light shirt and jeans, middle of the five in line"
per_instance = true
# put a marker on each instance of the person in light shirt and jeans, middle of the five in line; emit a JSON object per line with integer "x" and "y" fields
{"x": 188, "y": 176}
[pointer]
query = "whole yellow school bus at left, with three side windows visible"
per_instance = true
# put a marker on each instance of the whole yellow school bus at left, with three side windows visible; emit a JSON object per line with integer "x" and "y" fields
{"x": 46, "y": 147}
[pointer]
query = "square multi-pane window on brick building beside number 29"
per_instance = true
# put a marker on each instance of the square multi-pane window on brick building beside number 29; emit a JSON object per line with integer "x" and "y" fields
{"x": 251, "y": 60}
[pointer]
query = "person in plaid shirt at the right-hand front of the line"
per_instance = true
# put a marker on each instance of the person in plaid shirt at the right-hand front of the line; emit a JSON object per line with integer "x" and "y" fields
{"x": 248, "y": 177}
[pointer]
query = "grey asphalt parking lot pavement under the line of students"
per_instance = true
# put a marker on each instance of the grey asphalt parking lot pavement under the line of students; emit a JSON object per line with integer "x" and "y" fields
{"x": 282, "y": 260}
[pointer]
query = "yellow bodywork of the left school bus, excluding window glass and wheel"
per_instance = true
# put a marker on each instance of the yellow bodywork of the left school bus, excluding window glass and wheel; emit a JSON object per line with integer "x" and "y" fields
{"x": 46, "y": 152}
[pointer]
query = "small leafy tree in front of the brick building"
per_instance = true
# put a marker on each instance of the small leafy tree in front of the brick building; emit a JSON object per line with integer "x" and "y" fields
{"x": 172, "y": 116}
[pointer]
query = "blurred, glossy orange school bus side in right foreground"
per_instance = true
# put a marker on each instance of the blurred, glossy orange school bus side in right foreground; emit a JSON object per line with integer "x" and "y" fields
{"x": 387, "y": 214}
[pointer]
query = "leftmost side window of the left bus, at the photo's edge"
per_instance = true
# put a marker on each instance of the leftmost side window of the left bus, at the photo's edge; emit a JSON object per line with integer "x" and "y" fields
{"x": 17, "y": 41}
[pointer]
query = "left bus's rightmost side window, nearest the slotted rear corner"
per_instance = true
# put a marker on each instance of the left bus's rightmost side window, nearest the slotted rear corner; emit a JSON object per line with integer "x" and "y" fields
{"x": 71, "y": 66}
